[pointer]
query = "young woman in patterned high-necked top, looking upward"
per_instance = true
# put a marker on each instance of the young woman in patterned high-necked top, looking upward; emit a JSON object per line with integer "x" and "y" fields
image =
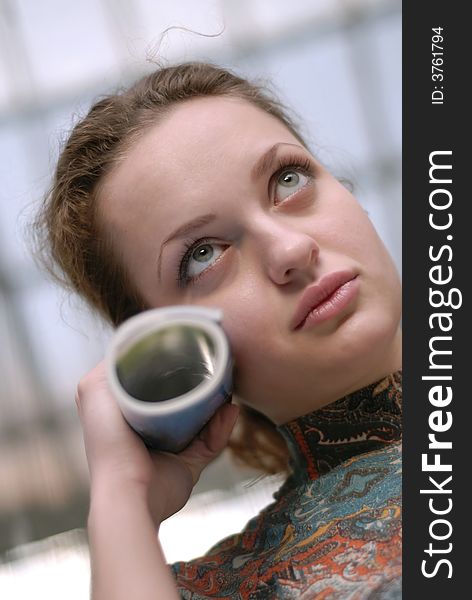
{"x": 194, "y": 187}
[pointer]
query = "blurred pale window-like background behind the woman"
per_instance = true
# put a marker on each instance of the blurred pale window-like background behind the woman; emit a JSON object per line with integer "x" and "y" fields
{"x": 336, "y": 63}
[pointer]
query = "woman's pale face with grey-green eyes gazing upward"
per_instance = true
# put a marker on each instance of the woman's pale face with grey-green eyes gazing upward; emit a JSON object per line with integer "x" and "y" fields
{"x": 220, "y": 205}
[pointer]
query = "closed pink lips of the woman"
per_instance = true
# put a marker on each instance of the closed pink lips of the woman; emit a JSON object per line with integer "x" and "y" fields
{"x": 326, "y": 298}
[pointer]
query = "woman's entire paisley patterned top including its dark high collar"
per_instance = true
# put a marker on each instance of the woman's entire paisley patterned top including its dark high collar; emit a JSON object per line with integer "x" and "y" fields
{"x": 334, "y": 530}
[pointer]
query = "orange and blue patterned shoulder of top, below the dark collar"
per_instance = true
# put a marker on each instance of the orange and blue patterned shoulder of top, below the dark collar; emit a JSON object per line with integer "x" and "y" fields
{"x": 305, "y": 539}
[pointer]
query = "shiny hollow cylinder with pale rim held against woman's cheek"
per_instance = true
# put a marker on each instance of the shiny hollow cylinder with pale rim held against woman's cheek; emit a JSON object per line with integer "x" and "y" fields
{"x": 169, "y": 370}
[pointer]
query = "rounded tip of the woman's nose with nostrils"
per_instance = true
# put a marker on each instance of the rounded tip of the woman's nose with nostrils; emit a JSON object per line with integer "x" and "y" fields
{"x": 289, "y": 254}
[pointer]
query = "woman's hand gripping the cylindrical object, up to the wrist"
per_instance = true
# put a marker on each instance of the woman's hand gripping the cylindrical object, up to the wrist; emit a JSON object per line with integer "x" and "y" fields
{"x": 119, "y": 461}
